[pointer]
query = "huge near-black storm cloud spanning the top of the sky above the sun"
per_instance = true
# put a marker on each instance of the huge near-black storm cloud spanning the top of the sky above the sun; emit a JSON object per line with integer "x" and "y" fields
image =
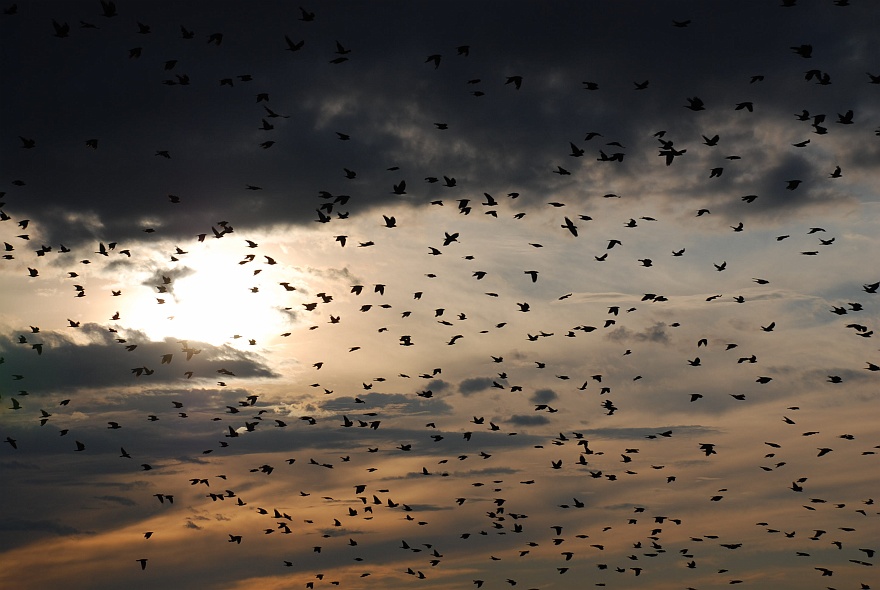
{"x": 212, "y": 134}
